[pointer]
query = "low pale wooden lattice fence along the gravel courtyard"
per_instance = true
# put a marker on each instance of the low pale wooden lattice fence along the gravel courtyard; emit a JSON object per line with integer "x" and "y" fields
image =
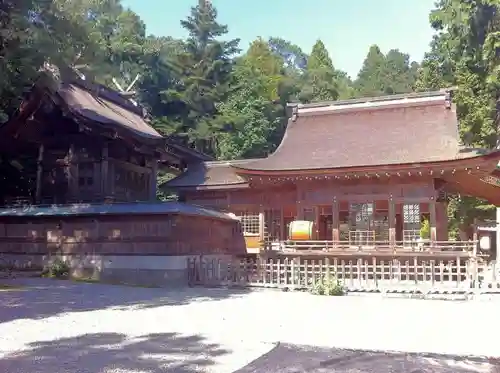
{"x": 356, "y": 276}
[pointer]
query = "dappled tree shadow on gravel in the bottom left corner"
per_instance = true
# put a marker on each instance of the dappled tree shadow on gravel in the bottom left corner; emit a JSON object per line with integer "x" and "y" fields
{"x": 111, "y": 352}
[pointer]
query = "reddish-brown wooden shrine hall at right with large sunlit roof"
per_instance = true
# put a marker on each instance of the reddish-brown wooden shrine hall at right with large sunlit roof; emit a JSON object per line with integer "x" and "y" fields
{"x": 369, "y": 173}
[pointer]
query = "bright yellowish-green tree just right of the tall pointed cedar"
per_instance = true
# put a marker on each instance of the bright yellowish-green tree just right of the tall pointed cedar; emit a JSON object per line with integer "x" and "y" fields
{"x": 253, "y": 111}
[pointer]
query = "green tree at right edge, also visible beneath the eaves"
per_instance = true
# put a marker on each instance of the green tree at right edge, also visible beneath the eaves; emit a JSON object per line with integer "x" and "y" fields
{"x": 464, "y": 55}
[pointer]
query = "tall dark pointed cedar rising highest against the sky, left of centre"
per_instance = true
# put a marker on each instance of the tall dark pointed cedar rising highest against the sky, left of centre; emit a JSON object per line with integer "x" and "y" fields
{"x": 207, "y": 65}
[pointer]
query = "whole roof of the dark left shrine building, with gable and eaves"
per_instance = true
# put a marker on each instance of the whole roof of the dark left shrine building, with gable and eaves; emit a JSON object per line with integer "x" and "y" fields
{"x": 95, "y": 108}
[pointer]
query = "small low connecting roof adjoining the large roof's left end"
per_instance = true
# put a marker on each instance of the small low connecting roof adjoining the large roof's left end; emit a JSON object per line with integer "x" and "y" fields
{"x": 204, "y": 175}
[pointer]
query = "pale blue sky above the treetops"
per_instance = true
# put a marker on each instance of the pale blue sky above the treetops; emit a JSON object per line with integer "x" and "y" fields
{"x": 347, "y": 27}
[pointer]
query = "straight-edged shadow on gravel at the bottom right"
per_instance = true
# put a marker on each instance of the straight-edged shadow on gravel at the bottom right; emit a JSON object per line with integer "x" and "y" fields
{"x": 287, "y": 358}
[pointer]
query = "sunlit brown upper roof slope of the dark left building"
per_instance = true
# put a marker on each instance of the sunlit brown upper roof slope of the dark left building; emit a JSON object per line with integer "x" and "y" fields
{"x": 106, "y": 107}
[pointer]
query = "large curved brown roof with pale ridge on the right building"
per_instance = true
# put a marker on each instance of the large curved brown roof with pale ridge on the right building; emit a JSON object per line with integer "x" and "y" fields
{"x": 400, "y": 130}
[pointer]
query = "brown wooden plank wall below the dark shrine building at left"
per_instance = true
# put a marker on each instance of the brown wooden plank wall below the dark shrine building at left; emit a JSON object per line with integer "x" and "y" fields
{"x": 172, "y": 234}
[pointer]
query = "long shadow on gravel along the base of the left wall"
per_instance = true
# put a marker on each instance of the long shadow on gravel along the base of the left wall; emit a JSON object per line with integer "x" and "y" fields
{"x": 41, "y": 298}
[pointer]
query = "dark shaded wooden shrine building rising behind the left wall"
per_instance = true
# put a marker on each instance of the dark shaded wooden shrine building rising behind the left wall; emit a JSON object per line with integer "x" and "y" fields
{"x": 76, "y": 141}
